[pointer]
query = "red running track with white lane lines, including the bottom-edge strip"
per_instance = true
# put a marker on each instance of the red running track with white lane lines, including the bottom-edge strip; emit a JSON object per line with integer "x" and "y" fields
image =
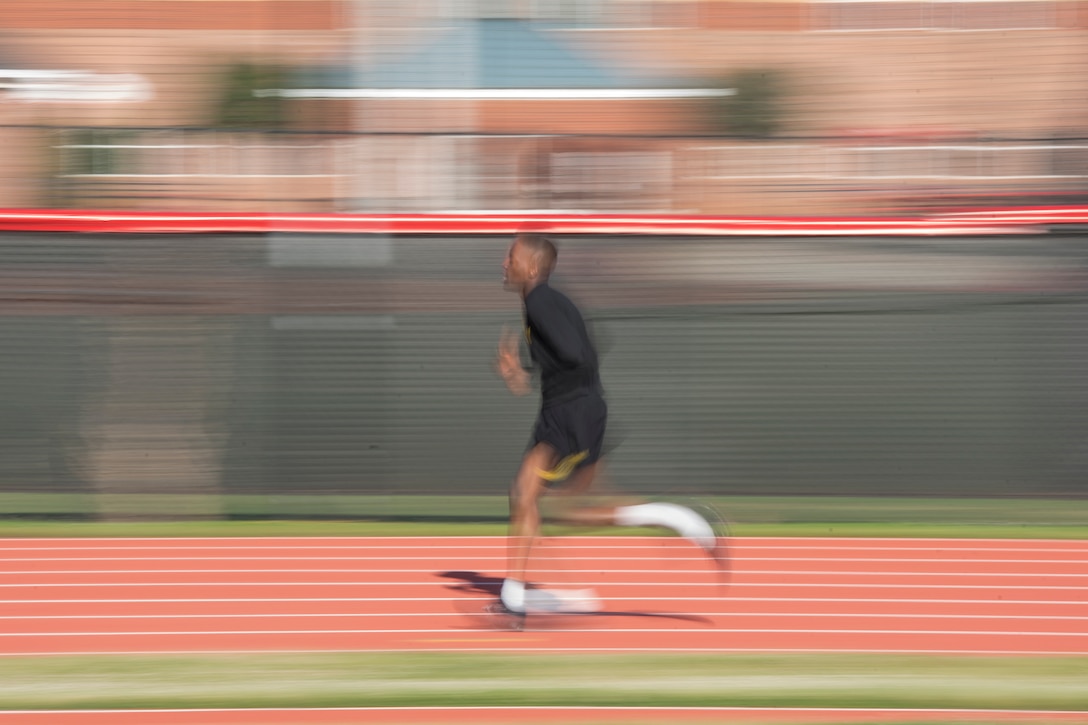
{"x": 155, "y": 596}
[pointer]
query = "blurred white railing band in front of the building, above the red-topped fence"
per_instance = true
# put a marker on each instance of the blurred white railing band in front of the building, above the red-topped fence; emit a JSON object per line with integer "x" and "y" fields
{"x": 465, "y": 173}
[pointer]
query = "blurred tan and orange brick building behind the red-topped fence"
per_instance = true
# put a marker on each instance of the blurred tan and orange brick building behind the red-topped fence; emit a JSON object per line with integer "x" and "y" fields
{"x": 872, "y": 73}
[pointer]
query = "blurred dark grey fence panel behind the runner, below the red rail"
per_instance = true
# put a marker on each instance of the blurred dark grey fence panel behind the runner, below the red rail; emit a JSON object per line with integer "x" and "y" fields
{"x": 308, "y": 364}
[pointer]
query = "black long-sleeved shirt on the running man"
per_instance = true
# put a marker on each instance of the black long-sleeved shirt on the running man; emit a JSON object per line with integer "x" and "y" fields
{"x": 560, "y": 346}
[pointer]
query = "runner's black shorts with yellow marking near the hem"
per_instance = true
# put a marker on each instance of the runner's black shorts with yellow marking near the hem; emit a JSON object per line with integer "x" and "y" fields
{"x": 576, "y": 431}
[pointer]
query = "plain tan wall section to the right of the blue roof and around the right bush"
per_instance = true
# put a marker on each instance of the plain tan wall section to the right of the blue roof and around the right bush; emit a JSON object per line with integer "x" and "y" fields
{"x": 1029, "y": 82}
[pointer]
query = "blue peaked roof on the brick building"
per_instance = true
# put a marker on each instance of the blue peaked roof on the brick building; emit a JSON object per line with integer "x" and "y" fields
{"x": 496, "y": 55}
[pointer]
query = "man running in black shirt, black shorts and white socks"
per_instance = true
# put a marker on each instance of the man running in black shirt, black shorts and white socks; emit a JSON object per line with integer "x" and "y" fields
{"x": 567, "y": 439}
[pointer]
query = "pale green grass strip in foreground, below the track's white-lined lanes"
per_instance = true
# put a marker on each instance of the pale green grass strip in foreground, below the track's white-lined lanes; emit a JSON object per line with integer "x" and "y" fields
{"x": 459, "y": 680}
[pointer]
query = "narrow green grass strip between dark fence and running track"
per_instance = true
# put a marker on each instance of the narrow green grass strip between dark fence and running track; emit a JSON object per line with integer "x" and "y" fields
{"x": 58, "y": 515}
